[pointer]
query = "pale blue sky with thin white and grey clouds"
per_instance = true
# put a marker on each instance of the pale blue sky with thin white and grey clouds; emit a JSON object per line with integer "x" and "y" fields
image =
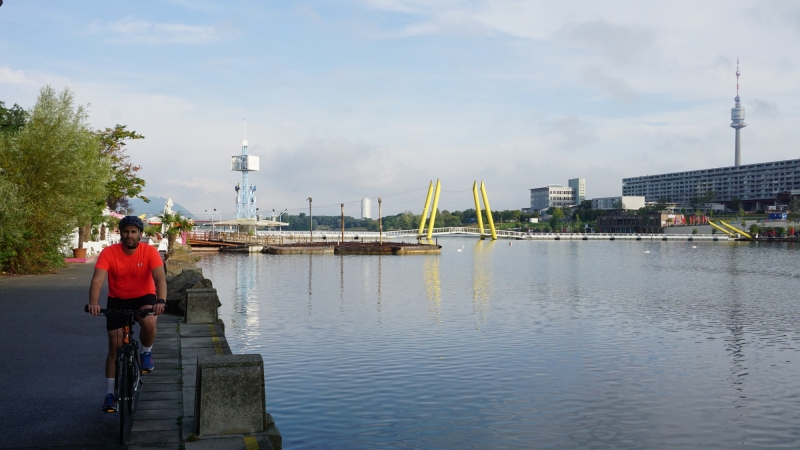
{"x": 376, "y": 98}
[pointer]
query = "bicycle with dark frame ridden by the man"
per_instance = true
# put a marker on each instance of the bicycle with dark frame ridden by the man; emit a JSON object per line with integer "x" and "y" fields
{"x": 128, "y": 373}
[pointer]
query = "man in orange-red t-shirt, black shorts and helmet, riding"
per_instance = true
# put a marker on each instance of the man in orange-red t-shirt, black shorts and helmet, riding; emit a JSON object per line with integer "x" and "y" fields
{"x": 136, "y": 280}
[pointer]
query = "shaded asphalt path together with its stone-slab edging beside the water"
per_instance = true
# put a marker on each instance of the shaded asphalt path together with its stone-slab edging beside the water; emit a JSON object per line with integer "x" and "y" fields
{"x": 53, "y": 354}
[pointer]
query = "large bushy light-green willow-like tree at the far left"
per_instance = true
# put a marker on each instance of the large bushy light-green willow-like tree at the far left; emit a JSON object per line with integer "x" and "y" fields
{"x": 58, "y": 176}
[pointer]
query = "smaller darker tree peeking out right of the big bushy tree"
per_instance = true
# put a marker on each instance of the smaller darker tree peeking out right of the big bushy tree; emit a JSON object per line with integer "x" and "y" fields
{"x": 125, "y": 183}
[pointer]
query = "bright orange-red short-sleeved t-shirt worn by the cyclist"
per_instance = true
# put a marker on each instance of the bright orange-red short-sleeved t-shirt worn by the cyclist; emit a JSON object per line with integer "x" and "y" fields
{"x": 129, "y": 276}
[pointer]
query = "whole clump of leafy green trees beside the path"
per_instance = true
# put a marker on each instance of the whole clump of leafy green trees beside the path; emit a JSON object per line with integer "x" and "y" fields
{"x": 56, "y": 174}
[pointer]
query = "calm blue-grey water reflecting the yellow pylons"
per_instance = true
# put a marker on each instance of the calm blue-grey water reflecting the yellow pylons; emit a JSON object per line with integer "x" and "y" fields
{"x": 535, "y": 345}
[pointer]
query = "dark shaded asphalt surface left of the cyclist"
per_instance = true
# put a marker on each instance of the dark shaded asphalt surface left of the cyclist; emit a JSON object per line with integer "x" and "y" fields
{"x": 52, "y": 358}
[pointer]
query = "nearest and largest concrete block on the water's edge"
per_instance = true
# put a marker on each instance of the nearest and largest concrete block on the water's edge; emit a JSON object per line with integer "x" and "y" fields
{"x": 229, "y": 395}
